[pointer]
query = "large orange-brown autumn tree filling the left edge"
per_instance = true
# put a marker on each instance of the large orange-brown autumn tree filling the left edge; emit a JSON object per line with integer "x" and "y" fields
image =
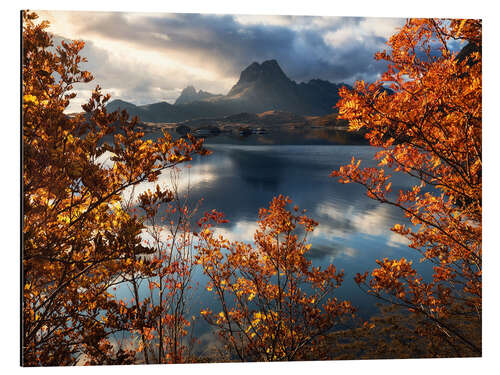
{"x": 77, "y": 238}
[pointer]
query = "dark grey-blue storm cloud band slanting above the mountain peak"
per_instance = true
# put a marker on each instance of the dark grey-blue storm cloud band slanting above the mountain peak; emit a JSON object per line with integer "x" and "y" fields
{"x": 223, "y": 44}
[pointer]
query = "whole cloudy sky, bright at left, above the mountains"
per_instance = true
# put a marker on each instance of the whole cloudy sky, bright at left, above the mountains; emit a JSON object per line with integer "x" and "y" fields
{"x": 150, "y": 57}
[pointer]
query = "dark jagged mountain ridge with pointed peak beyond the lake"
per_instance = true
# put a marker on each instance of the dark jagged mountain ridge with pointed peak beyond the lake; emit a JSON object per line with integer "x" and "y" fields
{"x": 261, "y": 87}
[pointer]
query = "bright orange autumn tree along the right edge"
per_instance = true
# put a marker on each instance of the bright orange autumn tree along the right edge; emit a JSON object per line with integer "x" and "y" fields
{"x": 428, "y": 128}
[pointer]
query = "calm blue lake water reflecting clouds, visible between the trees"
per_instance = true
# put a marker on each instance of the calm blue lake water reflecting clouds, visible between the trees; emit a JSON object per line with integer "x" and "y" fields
{"x": 353, "y": 230}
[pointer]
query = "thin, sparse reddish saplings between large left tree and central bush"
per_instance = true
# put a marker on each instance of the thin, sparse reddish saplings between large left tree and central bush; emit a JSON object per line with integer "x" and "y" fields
{"x": 163, "y": 328}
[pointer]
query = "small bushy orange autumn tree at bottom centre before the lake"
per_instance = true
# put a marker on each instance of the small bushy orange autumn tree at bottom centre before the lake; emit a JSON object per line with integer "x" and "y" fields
{"x": 274, "y": 305}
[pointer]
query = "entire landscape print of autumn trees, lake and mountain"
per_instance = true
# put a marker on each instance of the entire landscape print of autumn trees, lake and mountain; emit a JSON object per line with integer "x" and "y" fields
{"x": 224, "y": 188}
